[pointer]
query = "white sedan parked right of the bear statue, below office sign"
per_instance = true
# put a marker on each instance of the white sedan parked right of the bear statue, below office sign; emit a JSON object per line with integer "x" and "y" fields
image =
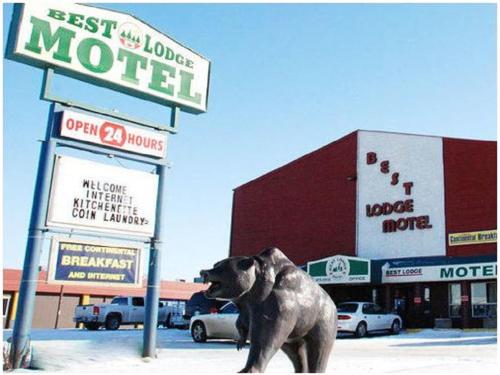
{"x": 361, "y": 317}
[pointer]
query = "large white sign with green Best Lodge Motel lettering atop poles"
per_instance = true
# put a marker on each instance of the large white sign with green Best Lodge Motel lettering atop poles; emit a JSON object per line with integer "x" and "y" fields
{"x": 109, "y": 49}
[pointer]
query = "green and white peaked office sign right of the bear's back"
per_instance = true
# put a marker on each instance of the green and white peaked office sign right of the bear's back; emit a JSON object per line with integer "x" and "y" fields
{"x": 340, "y": 269}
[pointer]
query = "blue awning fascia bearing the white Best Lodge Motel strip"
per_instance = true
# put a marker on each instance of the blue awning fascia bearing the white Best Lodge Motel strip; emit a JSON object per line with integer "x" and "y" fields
{"x": 427, "y": 269}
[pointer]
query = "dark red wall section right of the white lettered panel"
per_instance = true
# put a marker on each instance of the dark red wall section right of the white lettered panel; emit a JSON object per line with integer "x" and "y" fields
{"x": 470, "y": 191}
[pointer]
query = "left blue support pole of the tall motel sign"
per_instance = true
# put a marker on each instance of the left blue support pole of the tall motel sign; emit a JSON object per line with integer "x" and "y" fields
{"x": 27, "y": 290}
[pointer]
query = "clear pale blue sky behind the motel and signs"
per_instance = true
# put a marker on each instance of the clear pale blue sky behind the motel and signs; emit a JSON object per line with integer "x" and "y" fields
{"x": 286, "y": 80}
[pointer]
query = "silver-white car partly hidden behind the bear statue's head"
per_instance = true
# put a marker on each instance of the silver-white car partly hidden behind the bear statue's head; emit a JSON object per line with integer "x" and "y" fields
{"x": 221, "y": 325}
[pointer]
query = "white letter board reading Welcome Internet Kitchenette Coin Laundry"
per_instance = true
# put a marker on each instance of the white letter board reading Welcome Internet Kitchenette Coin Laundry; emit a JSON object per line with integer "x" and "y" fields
{"x": 98, "y": 197}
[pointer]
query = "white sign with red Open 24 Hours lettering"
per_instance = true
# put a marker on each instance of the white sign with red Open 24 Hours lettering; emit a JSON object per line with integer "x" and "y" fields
{"x": 96, "y": 130}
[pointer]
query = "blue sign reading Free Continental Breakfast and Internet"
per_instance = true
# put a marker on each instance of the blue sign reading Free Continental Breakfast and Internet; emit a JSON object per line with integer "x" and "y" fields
{"x": 91, "y": 263}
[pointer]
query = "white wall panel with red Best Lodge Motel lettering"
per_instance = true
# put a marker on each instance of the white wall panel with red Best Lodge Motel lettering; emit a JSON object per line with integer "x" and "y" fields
{"x": 400, "y": 196}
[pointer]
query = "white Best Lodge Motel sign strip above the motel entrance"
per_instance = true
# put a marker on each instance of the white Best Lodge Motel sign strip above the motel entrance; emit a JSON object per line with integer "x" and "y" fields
{"x": 445, "y": 272}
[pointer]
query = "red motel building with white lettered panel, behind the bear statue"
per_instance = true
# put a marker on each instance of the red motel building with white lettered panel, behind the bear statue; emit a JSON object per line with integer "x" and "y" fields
{"x": 408, "y": 221}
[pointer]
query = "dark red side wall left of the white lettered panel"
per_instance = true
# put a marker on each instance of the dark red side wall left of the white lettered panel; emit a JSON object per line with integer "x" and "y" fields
{"x": 306, "y": 208}
